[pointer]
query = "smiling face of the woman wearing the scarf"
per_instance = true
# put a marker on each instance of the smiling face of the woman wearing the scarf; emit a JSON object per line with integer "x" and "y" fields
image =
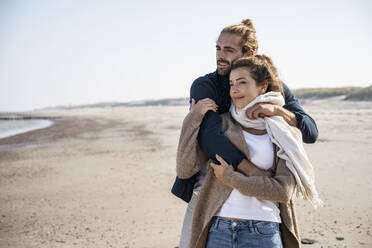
{"x": 243, "y": 88}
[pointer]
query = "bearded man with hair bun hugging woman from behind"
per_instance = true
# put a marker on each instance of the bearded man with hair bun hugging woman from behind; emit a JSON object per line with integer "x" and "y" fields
{"x": 234, "y": 42}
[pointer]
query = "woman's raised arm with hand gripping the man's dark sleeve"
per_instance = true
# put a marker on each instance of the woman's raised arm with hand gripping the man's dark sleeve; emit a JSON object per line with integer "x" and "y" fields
{"x": 189, "y": 155}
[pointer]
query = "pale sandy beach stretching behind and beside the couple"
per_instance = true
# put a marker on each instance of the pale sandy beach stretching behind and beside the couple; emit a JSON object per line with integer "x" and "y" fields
{"x": 101, "y": 177}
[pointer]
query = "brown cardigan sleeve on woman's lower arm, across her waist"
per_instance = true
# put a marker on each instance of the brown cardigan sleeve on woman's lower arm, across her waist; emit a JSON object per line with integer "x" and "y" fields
{"x": 279, "y": 188}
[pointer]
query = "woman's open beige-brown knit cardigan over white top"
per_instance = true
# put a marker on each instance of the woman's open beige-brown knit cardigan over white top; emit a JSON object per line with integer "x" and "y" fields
{"x": 279, "y": 188}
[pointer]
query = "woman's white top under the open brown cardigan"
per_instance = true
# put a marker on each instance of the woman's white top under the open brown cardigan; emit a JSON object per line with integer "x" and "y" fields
{"x": 240, "y": 206}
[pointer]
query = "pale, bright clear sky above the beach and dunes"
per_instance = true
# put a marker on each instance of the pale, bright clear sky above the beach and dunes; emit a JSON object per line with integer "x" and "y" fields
{"x": 75, "y": 52}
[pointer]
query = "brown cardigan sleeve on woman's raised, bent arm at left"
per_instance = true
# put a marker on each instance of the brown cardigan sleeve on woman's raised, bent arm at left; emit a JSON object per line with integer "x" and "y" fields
{"x": 188, "y": 151}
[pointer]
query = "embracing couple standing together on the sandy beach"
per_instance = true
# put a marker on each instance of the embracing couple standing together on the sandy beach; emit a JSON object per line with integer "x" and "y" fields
{"x": 240, "y": 158}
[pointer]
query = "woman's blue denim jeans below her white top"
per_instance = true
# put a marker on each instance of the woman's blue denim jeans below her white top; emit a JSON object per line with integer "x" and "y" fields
{"x": 224, "y": 233}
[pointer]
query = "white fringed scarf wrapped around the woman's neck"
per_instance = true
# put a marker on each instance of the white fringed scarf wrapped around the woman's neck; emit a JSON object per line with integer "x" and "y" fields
{"x": 289, "y": 141}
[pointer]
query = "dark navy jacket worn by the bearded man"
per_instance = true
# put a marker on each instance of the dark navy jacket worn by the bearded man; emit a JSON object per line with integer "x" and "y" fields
{"x": 212, "y": 140}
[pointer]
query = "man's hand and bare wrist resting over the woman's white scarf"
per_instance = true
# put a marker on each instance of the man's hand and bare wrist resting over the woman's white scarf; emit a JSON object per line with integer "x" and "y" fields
{"x": 261, "y": 110}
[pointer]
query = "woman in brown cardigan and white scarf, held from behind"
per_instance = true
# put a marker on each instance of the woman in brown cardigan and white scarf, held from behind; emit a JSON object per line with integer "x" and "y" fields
{"x": 250, "y": 211}
